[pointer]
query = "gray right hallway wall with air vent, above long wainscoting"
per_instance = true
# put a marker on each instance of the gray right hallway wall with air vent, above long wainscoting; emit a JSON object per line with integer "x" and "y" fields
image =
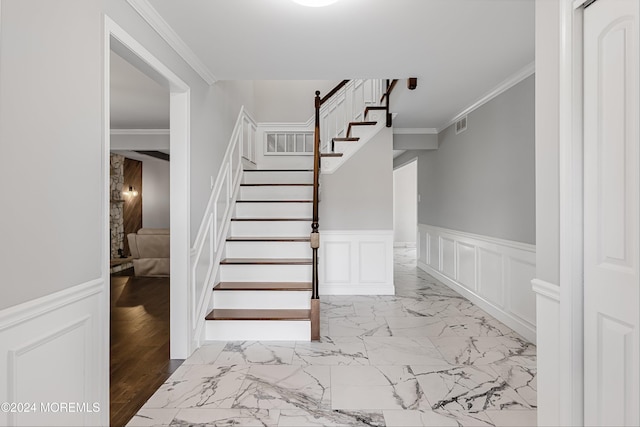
{"x": 481, "y": 181}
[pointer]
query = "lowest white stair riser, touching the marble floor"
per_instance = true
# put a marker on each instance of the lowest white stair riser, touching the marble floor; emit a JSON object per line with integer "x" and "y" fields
{"x": 258, "y": 330}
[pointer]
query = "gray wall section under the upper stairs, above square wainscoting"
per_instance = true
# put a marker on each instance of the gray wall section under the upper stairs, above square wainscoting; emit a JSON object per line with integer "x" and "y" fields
{"x": 359, "y": 195}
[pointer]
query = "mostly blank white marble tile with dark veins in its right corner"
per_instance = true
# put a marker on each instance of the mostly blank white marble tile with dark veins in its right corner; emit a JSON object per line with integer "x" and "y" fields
{"x": 374, "y": 388}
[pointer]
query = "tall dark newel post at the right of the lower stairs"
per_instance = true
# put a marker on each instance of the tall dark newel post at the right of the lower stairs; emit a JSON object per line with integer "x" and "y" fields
{"x": 315, "y": 235}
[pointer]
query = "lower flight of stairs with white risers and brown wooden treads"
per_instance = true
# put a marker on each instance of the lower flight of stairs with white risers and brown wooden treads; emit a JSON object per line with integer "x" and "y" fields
{"x": 264, "y": 289}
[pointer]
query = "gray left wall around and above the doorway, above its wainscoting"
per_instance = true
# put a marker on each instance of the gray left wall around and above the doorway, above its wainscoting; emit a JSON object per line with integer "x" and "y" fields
{"x": 51, "y": 81}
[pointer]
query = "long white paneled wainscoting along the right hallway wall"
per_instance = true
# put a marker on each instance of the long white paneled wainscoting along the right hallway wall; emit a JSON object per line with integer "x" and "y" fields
{"x": 493, "y": 273}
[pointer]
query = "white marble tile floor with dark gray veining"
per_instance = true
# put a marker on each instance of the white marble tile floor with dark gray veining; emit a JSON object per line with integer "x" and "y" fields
{"x": 424, "y": 357}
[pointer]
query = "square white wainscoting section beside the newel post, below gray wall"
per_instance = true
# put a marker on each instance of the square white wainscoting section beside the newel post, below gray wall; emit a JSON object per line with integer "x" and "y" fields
{"x": 356, "y": 262}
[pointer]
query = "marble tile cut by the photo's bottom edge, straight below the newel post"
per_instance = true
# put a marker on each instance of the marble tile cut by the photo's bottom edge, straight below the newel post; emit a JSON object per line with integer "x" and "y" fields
{"x": 312, "y": 417}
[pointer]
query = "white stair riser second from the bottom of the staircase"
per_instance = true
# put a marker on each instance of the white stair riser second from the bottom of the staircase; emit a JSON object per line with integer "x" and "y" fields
{"x": 266, "y": 300}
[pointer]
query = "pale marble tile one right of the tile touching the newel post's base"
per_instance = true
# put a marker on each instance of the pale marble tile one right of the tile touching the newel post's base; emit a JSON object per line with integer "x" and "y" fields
{"x": 402, "y": 351}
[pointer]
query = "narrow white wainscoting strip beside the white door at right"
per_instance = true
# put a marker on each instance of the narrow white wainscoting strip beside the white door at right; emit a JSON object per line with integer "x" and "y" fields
{"x": 550, "y": 375}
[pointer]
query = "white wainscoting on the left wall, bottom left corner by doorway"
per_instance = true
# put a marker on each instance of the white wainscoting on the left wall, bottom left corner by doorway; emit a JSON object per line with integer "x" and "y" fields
{"x": 52, "y": 351}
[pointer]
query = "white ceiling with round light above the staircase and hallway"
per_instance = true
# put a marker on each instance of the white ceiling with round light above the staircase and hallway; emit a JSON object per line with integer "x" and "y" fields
{"x": 458, "y": 49}
